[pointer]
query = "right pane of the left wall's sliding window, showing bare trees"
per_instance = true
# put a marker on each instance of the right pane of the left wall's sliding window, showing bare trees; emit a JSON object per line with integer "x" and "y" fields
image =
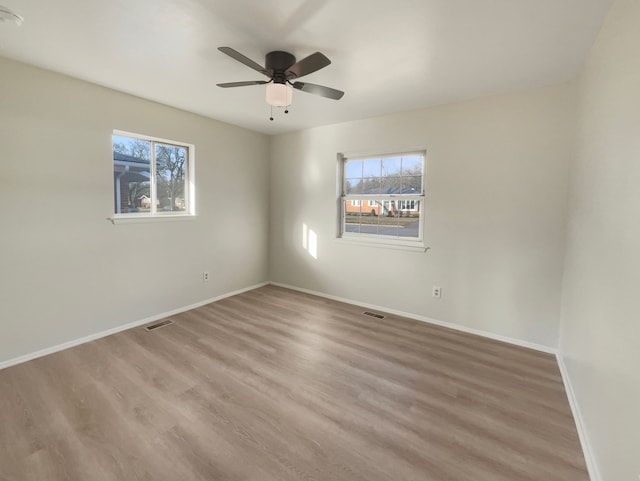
{"x": 171, "y": 174}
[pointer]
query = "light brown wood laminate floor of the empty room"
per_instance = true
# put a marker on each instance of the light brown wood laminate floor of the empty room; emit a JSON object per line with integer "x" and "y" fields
{"x": 276, "y": 385}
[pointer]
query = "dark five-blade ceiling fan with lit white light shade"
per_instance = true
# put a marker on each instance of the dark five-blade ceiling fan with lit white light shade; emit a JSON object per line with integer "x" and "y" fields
{"x": 282, "y": 69}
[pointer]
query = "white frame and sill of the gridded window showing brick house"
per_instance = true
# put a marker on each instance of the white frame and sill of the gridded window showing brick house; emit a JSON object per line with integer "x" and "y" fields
{"x": 411, "y": 243}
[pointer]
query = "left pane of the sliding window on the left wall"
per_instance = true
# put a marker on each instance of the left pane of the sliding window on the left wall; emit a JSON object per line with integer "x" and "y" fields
{"x": 131, "y": 175}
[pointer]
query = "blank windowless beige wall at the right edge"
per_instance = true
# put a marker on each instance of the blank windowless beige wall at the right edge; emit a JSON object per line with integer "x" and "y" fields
{"x": 600, "y": 328}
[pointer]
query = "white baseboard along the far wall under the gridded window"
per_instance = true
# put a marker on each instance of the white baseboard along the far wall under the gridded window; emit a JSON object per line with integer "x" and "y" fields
{"x": 449, "y": 325}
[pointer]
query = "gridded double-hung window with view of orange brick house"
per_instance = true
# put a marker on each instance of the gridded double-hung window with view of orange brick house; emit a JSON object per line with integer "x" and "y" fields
{"x": 393, "y": 188}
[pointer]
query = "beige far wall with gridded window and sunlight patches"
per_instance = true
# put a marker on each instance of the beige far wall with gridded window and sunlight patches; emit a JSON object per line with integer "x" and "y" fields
{"x": 497, "y": 172}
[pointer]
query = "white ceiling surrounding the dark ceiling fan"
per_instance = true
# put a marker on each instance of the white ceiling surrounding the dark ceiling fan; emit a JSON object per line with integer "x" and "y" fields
{"x": 388, "y": 56}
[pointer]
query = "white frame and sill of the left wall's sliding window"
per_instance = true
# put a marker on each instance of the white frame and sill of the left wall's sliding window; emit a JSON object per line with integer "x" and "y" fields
{"x": 154, "y": 215}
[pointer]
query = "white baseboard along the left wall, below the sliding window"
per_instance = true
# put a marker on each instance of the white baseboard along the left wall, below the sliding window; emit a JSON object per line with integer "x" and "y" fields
{"x": 108, "y": 332}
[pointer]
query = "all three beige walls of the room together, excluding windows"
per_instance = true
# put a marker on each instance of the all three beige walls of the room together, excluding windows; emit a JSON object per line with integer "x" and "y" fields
{"x": 497, "y": 179}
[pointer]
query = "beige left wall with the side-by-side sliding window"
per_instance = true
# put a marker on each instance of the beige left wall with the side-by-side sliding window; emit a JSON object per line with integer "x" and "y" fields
{"x": 65, "y": 271}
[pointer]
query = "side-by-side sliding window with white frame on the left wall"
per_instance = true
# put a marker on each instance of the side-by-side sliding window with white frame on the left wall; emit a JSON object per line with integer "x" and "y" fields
{"x": 152, "y": 177}
